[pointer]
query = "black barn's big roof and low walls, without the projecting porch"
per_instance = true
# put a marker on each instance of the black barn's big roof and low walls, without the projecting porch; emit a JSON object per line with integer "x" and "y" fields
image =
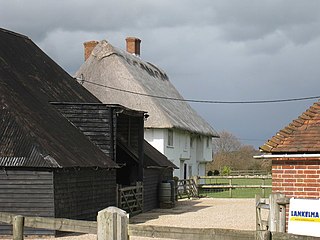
{"x": 48, "y": 167}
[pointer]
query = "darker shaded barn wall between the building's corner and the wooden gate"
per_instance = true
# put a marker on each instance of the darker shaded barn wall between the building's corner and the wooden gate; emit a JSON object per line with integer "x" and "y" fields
{"x": 80, "y": 194}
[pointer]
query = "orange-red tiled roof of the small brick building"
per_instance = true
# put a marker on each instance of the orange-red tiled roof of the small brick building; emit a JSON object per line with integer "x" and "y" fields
{"x": 302, "y": 135}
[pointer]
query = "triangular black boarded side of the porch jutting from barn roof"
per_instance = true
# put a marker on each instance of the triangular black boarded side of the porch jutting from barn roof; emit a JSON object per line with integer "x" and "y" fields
{"x": 95, "y": 122}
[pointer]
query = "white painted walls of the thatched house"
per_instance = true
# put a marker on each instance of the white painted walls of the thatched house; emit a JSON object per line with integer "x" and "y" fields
{"x": 187, "y": 148}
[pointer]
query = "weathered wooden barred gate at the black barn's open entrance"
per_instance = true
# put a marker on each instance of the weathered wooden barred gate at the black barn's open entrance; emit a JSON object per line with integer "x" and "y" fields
{"x": 130, "y": 199}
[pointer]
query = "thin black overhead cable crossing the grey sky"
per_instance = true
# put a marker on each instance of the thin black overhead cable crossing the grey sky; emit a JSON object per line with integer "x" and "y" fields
{"x": 203, "y": 101}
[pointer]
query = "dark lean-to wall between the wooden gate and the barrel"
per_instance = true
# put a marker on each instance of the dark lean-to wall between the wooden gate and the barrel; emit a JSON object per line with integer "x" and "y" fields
{"x": 151, "y": 180}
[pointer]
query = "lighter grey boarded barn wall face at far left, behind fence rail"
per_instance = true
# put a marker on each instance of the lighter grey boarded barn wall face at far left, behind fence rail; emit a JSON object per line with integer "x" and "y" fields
{"x": 26, "y": 192}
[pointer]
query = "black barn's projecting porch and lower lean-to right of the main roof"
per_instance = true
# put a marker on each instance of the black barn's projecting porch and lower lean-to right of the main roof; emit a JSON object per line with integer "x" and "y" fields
{"x": 118, "y": 131}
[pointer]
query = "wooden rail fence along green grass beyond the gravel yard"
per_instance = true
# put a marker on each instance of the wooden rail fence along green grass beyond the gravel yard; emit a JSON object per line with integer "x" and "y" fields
{"x": 207, "y": 183}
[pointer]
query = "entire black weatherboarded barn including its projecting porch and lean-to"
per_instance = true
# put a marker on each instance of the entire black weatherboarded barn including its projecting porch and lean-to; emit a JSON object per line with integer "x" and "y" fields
{"x": 62, "y": 152}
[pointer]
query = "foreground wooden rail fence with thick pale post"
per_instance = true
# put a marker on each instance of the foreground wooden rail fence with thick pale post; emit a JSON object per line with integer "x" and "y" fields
{"x": 113, "y": 224}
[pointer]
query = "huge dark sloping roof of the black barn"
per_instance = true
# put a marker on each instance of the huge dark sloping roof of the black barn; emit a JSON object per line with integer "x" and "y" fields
{"x": 33, "y": 132}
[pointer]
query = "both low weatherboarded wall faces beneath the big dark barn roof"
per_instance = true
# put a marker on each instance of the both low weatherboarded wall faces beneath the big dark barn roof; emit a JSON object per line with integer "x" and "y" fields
{"x": 64, "y": 193}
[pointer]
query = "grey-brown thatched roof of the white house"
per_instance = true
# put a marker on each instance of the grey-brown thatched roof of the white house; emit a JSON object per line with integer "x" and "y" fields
{"x": 115, "y": 68}
